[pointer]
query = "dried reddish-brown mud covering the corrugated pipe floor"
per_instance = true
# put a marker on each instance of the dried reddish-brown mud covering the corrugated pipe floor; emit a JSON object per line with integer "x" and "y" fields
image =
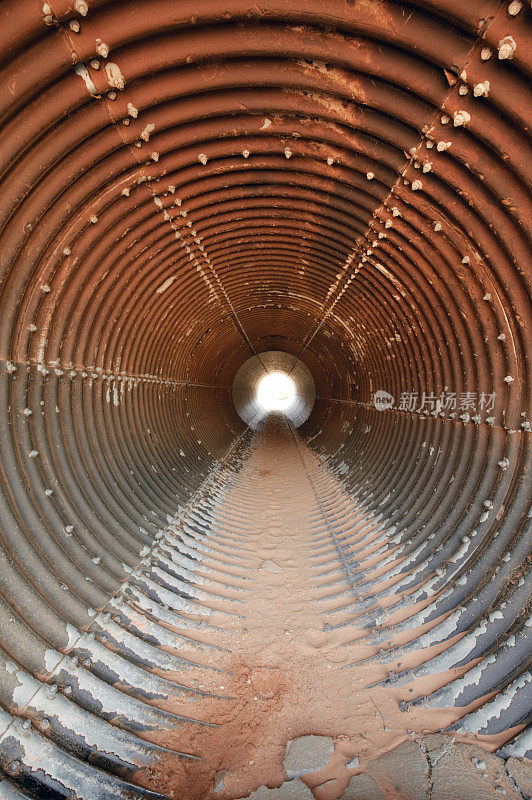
{"x": 276, "y": 662}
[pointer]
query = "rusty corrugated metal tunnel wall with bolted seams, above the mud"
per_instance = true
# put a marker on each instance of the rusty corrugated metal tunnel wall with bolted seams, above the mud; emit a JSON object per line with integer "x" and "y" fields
{"x": 186, "y": 185}
